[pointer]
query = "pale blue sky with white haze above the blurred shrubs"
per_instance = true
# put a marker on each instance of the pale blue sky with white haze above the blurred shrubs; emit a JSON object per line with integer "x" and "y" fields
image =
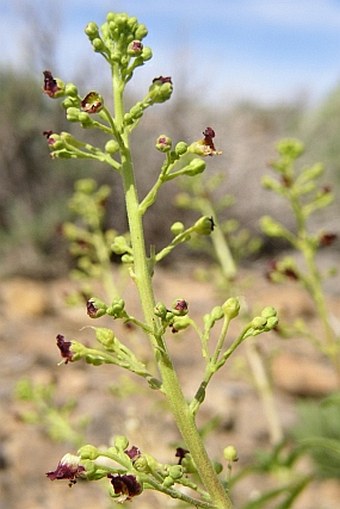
{"x": 267, "y": 50}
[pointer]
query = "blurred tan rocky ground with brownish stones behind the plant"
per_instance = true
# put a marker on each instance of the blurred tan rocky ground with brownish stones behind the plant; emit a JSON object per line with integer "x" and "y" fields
{"x": 34, "y": 312}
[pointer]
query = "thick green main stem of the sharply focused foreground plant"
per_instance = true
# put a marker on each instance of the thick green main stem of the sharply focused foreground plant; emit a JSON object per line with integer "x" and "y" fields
{"x": 171, "y": 386}
